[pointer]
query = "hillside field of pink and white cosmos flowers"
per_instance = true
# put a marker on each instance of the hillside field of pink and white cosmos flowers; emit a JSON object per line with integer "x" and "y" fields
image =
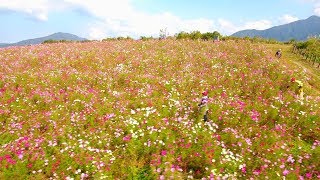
{"x": 128, "y": 110}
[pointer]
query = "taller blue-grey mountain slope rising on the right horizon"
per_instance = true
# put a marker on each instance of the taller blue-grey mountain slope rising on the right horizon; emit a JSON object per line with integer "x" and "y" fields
{"x": 299, "y": 30}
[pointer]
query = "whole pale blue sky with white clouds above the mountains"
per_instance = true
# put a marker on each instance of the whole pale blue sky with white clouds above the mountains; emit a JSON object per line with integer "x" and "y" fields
{"x": 99, "y": 19}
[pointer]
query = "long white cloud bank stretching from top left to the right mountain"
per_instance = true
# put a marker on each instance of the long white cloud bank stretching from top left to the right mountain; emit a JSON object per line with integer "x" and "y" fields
{"x": 119, "y": 18}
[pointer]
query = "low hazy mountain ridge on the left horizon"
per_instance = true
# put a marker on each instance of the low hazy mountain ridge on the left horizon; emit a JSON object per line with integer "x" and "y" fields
{"x": 55, "y": 36}
